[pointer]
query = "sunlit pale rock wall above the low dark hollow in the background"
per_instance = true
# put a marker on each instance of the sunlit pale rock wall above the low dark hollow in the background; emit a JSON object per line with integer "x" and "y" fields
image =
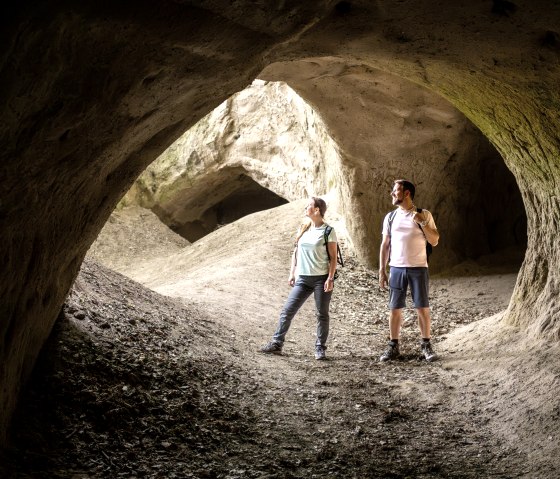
{"x": 266, "y": 133}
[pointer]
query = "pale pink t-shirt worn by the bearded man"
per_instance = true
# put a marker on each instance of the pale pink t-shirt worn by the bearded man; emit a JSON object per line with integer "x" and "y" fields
{"x": 408, "y": 243}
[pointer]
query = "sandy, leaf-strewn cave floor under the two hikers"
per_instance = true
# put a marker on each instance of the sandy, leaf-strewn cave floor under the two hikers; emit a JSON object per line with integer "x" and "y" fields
{"x": 135, "y": 384}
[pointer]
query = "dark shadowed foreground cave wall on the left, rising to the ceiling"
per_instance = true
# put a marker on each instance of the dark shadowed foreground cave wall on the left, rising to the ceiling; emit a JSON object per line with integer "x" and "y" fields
{"x": 91, "y": 93}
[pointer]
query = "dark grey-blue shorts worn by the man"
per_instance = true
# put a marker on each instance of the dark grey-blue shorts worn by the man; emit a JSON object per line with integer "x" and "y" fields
{"x": 400, "y": 279}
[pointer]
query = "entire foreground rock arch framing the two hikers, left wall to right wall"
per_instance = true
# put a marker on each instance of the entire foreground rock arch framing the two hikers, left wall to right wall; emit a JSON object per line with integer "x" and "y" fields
{"x": 92, "y": 93}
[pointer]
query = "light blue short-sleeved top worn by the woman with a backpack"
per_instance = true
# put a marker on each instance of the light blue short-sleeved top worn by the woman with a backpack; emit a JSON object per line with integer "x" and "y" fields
{"x": 312, "y": 259}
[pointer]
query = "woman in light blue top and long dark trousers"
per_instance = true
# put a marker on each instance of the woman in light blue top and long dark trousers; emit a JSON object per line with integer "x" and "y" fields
{"x": 315, "y": 274}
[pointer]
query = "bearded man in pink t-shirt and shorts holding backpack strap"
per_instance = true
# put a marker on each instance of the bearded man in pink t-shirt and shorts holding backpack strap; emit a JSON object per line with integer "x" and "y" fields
{"x": 405, "y": 233}
